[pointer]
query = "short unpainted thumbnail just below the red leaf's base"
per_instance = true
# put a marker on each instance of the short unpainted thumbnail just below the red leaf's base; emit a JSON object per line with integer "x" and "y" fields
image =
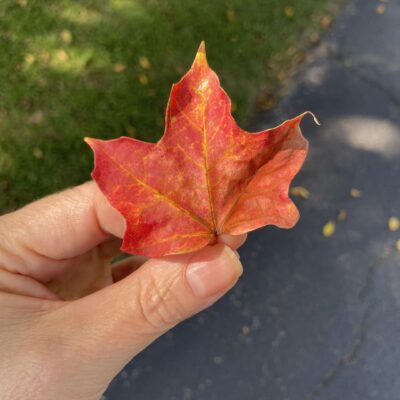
{"x": 213, "y": 270}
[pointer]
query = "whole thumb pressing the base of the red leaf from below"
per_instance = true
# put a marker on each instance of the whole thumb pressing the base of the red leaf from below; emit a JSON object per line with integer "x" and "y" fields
{"x": 111, "y": 326}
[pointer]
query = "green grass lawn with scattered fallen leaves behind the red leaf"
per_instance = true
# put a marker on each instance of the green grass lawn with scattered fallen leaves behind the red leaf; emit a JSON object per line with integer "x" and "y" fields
{"x": 104, "y": 68}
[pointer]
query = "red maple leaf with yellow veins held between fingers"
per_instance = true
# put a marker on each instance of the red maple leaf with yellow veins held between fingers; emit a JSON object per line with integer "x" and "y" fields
{"x": 206, "y": 176}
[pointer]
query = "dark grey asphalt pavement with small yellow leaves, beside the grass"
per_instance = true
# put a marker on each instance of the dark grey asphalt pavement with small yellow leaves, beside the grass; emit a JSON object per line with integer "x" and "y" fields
{"x": 313, "y": 317}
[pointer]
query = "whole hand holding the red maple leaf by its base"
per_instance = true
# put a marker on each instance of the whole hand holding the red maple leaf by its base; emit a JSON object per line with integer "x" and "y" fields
{"x": 65, "y": 328}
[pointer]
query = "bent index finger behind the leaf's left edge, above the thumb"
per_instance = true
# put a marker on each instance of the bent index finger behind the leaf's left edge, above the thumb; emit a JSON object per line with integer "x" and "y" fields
{"x": 40, "y": 239}
